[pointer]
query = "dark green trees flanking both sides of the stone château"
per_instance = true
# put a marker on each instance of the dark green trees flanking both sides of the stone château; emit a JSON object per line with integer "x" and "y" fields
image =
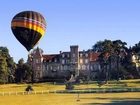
{"x": 115, "y": 61}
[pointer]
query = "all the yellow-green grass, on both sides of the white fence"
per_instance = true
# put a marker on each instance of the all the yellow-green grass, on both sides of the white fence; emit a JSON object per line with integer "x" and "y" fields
{"x": 127, "y": 98}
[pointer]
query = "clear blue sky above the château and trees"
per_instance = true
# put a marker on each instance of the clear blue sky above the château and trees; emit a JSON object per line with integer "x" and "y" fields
{"x": 73, "y": 22}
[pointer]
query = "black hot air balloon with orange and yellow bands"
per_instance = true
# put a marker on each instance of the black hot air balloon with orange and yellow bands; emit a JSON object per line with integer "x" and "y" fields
{"x": 28, "y": 27}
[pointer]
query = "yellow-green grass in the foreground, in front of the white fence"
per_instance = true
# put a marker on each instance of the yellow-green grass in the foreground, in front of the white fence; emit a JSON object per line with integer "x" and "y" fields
{"x": 71, "y": 99}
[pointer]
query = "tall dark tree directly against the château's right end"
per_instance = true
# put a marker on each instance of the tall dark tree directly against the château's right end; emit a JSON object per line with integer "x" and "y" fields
{"x": 105, "y": 48}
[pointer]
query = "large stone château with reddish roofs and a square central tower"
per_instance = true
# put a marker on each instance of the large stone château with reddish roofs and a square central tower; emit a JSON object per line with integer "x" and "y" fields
{"x": 62, "y": 65}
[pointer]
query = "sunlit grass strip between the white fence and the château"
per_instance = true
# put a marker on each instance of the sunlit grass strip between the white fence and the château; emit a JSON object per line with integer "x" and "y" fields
{"x": 51, "y": 86}
